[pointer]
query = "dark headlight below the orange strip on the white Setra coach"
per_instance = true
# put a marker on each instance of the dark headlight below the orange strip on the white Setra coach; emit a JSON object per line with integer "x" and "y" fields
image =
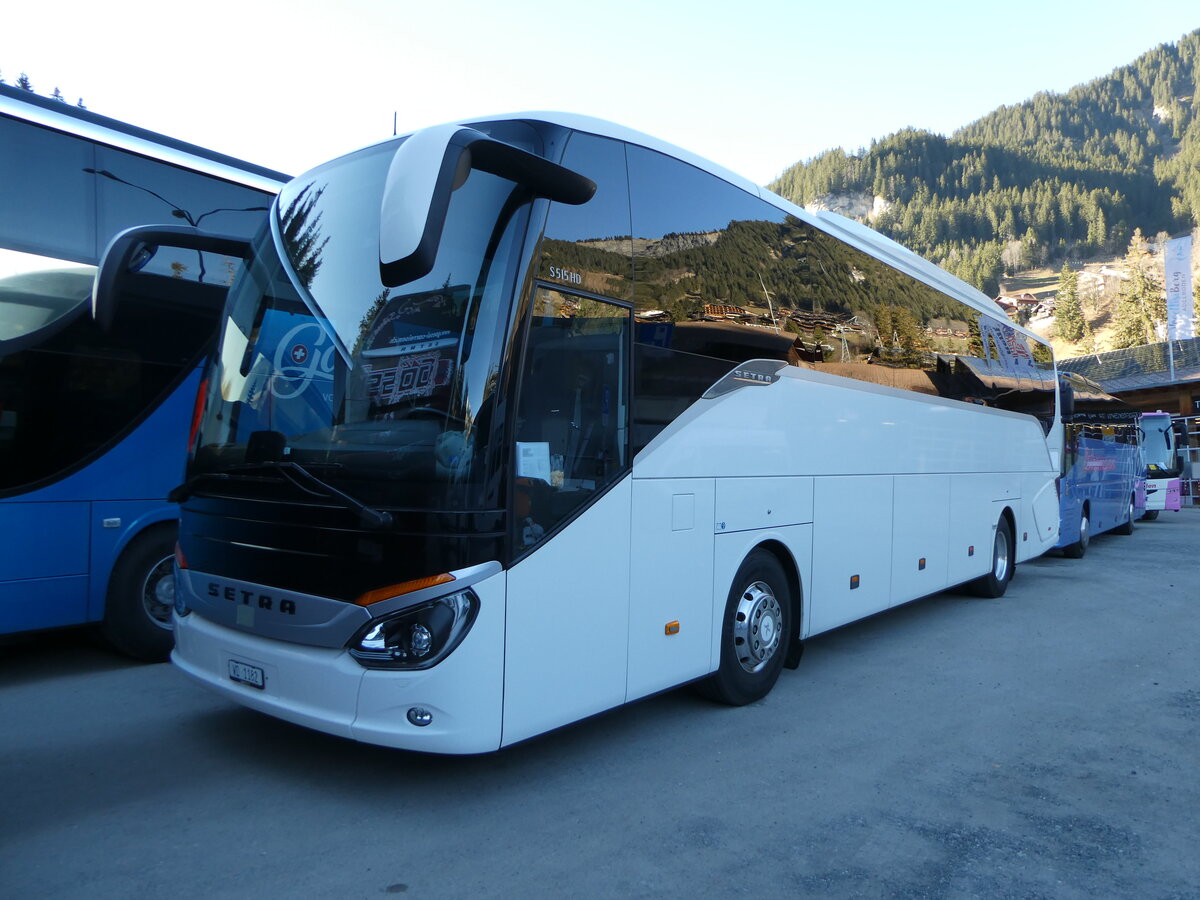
{"x": 418, "y": 638}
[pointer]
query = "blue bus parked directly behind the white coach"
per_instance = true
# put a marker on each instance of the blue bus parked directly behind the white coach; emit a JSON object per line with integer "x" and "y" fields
{"x": 1101, "y": 489}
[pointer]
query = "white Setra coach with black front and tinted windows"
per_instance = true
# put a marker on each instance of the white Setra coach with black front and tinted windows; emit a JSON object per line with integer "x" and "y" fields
{"x": 518, "y": 421}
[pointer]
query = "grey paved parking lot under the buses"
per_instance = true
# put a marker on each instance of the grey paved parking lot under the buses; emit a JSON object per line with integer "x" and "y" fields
{"x": 1043, "y": 745}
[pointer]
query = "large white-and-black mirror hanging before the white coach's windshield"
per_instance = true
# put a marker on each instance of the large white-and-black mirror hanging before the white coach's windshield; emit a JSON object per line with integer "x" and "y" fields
{"x": 434, "y": 164}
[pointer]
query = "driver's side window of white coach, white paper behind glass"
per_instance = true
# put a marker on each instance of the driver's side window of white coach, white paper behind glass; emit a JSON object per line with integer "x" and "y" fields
{"x": 573, "y": 412}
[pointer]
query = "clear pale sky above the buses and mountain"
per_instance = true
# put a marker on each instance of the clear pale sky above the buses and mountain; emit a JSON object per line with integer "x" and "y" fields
{"x": 755, "y": 86}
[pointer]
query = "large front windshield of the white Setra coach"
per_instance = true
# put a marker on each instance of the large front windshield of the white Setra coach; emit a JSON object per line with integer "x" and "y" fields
{"x": 388, "y": 393}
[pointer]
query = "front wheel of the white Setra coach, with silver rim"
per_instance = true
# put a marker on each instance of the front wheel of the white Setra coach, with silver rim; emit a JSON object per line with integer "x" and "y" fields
{"x": 755, "y": 633}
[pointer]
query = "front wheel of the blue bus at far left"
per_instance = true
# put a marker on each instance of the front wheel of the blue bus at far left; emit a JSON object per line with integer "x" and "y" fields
{"x": 141, "y": 597}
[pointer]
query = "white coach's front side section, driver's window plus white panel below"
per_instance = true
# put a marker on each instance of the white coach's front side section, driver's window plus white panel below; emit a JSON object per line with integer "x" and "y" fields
{"x": 568, "y": 595}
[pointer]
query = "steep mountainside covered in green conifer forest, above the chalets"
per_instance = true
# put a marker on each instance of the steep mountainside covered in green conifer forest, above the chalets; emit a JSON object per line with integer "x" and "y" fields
{"x": 1061, "y": 177}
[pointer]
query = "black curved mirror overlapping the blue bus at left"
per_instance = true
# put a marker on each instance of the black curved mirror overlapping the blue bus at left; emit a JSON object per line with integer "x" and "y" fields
{"x": 130, "y": 251}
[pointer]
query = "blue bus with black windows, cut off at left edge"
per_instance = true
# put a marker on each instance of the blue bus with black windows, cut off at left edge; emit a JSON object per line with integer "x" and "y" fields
{"x": 95, "y": 411}
